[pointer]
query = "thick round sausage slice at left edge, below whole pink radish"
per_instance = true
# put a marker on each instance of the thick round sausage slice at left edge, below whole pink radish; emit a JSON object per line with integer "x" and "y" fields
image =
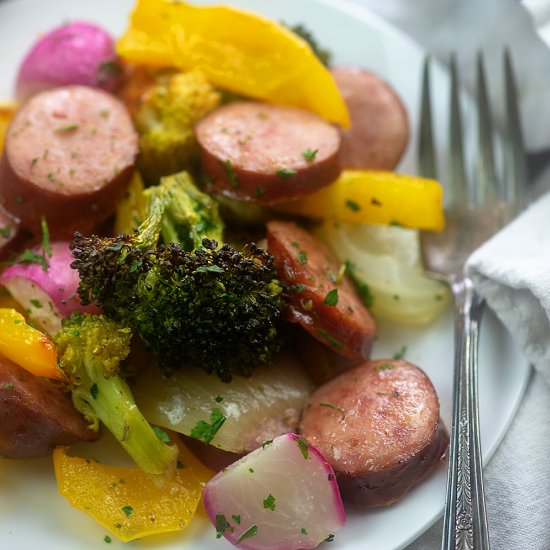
{"x": 69, "y": 155}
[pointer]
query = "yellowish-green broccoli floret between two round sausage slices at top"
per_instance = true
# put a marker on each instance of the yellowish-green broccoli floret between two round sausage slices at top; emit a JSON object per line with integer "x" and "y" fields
{"x": 165, "y": 120}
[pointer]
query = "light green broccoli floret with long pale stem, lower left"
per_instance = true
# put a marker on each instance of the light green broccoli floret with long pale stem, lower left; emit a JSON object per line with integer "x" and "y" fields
{"x": 90, "y": 349}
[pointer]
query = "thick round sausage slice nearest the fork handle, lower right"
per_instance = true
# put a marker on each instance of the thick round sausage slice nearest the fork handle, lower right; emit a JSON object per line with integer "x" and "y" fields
{"x": 378, "y": 425}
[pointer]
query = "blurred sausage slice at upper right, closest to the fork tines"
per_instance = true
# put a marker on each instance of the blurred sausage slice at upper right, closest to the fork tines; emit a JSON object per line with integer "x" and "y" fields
{"x": 379, "y": 129}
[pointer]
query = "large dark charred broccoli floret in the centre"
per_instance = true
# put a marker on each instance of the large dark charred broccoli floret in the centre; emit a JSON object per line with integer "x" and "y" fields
{"x": 212, "y": 307}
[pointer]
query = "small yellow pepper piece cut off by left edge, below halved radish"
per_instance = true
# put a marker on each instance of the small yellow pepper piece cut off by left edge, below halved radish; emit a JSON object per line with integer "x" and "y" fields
{"x": 27, "y": 347}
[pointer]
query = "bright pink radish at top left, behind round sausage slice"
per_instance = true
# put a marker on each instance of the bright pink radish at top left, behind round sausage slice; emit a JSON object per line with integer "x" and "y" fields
{"x": 75, "y": 53}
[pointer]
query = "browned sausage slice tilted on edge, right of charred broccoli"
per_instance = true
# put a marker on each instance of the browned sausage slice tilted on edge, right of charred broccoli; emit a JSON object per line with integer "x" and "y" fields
{"x": 321, "y": 298}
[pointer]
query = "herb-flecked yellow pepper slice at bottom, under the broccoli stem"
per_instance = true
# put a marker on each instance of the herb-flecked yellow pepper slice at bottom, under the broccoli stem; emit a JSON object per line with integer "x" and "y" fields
{"x": 125, "y": 500}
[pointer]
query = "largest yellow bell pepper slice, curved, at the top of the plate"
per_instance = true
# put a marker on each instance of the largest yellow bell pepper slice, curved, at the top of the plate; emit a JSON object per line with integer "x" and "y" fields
{"x": 236, "y": 50}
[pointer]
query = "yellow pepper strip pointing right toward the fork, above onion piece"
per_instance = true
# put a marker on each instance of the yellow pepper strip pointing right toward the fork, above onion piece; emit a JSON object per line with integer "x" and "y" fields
{"x": 364, "y": 196}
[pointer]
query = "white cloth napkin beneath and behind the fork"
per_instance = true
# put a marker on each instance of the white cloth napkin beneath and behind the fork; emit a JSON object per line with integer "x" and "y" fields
{"x": 512, "y": 270}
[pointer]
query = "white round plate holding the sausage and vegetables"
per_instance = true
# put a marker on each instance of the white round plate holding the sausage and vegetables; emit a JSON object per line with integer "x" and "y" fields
{"x": 32, "y": 515}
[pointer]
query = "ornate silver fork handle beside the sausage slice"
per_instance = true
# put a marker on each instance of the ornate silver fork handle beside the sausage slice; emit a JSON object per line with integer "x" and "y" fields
{"x": 465, "y": 518}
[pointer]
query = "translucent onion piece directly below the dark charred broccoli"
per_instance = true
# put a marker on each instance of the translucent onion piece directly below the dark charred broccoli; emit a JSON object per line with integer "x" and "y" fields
{"x": 257, "y": 408}
